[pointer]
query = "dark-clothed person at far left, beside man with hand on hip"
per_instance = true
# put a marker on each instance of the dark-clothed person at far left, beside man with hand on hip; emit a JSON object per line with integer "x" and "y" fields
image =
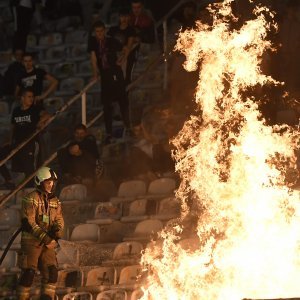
{"x": 13, "y": 73}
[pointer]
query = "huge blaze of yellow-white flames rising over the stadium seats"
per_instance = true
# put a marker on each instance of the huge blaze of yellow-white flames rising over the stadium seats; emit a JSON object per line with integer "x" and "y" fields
{"x": 233, "y": 166}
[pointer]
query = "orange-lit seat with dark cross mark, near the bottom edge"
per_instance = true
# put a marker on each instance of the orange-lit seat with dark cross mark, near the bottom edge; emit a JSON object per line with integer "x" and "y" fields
{"x": 98, "y": 280}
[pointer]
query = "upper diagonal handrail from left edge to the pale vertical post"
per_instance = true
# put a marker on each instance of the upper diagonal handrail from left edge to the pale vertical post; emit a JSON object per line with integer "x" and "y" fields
{"x": 62, "y": 109}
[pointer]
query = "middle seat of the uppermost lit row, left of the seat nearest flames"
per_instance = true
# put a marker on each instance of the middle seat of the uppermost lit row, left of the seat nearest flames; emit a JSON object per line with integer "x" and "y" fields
{"x": 130, "y": 190}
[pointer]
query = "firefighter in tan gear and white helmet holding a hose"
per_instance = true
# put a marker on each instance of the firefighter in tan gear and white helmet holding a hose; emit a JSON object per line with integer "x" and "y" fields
{"x": 42, "y": 226}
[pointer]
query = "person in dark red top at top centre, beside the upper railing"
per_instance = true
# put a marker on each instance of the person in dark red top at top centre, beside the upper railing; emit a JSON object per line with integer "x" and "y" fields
{"x": 142, "y": 22}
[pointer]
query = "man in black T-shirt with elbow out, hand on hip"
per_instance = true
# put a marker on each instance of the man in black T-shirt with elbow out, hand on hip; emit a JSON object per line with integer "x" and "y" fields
{"x": 33, "y": 77}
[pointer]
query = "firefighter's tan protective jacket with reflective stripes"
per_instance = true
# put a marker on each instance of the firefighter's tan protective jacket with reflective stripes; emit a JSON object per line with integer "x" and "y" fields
{"x": 42, "y": 218}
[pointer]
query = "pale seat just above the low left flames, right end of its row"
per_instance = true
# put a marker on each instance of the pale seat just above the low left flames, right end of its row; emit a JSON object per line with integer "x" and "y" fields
{"x": 145, "y": 230}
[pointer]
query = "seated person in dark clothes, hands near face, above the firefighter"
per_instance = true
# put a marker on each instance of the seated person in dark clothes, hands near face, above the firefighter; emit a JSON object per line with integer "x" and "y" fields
{"x": 80, "y": 160}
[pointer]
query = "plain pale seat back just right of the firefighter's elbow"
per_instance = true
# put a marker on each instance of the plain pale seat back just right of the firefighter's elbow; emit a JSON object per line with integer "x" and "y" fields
{"x": 86, "y": 232}
